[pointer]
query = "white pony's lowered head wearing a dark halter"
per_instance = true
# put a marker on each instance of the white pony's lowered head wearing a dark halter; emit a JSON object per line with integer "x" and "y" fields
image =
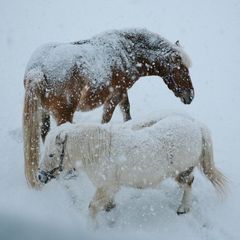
{"x": 52, "y": 163}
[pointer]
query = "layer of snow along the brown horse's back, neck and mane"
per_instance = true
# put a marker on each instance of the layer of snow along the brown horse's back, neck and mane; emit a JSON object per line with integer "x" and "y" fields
{"x": 118, "y": 49}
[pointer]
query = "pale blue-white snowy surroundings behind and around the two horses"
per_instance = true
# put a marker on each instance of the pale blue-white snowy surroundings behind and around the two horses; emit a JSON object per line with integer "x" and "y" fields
{"x": 209, "y": 31}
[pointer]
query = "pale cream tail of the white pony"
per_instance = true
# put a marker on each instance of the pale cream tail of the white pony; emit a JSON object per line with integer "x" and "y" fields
{"x": 218, "y": 180}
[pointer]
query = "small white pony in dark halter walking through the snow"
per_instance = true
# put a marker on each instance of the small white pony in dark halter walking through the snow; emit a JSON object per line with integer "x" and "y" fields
{"x": 139, "y": 156}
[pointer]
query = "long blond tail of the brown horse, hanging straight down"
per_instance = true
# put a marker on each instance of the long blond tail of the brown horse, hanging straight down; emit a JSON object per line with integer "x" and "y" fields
{"x": 34, "y": 89}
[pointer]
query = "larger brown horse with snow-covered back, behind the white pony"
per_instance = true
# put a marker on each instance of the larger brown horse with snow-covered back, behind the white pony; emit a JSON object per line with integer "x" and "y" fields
{"x": 62, "y": 78}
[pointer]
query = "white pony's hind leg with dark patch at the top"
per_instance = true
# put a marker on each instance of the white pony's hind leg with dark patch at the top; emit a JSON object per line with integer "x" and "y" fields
{"x": 185, "y": 179}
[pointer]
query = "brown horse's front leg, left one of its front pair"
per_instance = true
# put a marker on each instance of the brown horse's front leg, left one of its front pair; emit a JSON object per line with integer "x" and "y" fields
{"x": 109, "y": 107}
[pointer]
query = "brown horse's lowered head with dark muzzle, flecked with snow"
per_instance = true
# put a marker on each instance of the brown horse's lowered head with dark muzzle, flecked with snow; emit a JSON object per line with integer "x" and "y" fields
{"x": 176, "y": 76}
